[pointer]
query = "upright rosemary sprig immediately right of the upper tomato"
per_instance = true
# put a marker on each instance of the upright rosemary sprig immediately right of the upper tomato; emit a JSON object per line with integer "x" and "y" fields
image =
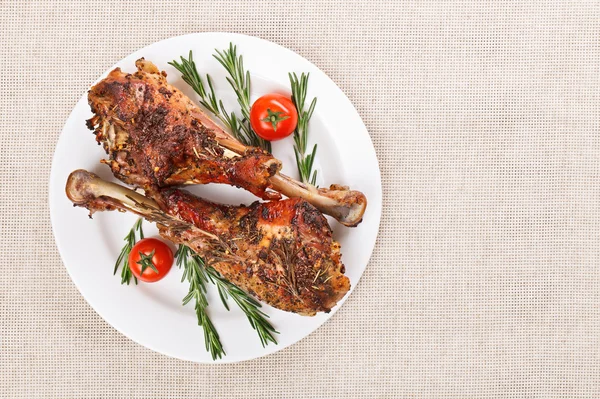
{"x": 304, "y": 161}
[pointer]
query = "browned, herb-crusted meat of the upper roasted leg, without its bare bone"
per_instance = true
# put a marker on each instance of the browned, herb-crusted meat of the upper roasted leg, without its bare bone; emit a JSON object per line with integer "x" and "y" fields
{"x": 156, "y": 137}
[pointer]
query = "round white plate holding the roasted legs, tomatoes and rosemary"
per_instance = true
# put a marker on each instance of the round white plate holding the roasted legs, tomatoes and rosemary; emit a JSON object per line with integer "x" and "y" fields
{"x": 152, "y": 314}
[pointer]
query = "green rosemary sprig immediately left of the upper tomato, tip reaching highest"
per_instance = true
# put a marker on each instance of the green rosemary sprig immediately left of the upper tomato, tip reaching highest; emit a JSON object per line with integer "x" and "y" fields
{"x": 239, "y": 79}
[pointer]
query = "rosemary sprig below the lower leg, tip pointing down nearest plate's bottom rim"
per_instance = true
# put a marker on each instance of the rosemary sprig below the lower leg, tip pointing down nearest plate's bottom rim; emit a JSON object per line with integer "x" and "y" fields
{"x": 195, "y": 272}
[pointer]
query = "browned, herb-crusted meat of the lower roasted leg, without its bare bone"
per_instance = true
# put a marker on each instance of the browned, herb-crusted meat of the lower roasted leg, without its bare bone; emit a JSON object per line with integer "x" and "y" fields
{"x": 281, "y": 252}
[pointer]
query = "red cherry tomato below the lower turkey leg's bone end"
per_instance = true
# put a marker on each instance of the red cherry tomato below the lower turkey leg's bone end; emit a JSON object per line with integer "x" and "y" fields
{"x": 150, "y": 260}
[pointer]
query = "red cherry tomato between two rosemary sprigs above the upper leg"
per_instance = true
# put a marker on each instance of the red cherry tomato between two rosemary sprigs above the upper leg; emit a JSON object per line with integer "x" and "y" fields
{"x": 273, "y": 117}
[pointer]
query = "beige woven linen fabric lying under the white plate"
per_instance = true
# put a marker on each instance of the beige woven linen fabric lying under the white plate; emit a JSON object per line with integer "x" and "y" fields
{"x": 485, "y": 281}
